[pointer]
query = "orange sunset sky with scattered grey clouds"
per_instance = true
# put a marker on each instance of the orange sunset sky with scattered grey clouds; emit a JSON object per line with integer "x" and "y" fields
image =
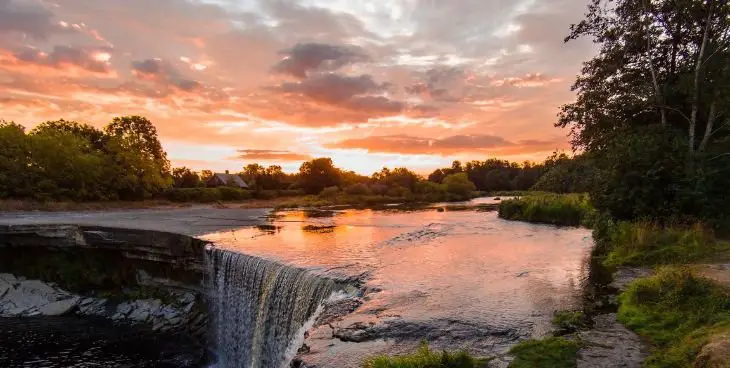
{"x": 369, "y": 83}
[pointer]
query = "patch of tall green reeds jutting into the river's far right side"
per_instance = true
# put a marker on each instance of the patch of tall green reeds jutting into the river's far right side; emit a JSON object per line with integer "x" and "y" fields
{"x": 549, "y": 208}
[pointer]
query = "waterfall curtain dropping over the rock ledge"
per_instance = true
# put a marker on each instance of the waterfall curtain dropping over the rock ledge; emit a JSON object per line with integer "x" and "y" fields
{"x": 260, "y": 308}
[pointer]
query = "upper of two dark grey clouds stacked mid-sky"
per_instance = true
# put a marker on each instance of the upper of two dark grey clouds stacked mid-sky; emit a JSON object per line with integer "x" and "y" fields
{"x": 306, "y": 57}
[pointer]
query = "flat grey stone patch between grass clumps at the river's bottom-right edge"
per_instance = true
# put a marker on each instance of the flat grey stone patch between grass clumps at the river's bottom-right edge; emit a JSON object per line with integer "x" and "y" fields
{"x": 610, "y": 345}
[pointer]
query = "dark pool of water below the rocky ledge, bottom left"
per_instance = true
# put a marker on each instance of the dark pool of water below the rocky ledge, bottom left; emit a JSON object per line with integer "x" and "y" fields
{"x": 56, "y": 342}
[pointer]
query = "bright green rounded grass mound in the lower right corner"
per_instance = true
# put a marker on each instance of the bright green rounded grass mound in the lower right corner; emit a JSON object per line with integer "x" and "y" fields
{"x": 677, "y": 312}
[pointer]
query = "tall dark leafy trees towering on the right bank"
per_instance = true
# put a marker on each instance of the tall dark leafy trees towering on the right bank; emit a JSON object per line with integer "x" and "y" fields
{"x": 652, "y": 108}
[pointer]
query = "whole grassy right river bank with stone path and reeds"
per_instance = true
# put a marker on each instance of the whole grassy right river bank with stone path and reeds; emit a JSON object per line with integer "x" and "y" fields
{"x": 666, "y": 302}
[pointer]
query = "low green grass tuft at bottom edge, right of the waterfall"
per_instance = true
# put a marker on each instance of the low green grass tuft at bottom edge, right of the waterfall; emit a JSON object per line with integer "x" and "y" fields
{"x": 426, "y": 358}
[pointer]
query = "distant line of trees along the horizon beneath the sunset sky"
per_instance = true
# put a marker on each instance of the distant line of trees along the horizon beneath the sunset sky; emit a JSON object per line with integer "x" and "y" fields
{"x": 65, "y": 160}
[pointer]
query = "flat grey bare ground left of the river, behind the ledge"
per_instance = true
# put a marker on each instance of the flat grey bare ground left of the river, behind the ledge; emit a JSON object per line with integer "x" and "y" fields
{"x": 195, "y": 220}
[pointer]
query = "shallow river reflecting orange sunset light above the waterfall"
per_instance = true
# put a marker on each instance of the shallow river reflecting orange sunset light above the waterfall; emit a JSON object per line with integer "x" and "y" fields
{"x": 459, "y": 278}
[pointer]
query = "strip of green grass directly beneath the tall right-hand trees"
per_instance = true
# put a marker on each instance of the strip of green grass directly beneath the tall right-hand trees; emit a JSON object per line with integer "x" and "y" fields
{"x": 647, "y": 244}
